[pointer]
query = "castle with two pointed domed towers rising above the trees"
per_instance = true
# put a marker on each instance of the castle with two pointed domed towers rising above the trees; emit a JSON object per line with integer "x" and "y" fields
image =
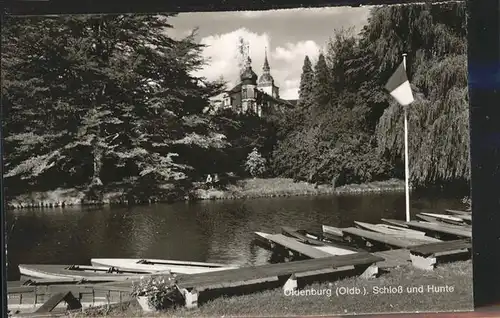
{"x": 252, "y": 95}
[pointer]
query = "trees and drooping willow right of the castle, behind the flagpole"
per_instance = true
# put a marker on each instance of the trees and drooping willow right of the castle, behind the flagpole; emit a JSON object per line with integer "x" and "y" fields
{"x": 355, "y": 133}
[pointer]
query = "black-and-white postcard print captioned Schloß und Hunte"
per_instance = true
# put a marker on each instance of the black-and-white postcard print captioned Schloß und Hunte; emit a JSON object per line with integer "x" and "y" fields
{"x": 308, "y": 161}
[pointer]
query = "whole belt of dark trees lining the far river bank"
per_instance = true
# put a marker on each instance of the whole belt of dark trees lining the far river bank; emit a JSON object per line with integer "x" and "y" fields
{"x": 109, "y": 103}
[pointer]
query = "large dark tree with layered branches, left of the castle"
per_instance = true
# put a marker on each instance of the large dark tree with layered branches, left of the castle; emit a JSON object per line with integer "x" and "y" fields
{"x": 112, "y": 100}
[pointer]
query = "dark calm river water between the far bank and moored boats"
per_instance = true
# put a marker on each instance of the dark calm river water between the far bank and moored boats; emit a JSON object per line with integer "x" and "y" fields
{"x": 212, "y": 231}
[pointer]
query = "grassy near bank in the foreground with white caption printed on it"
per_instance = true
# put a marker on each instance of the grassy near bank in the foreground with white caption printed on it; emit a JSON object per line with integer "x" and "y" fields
{"x": 447, "y": 288}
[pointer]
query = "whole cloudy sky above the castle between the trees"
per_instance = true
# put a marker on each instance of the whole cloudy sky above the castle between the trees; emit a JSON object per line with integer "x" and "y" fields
{"x": 289, "y": 35}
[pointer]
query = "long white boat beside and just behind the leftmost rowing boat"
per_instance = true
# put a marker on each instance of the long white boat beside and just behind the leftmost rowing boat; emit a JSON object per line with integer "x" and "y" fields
{"x": 155, "y": 265}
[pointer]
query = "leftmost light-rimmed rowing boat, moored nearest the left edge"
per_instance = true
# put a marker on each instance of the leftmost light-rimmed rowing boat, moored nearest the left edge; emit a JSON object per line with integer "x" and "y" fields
{"x": 75, "y": 272}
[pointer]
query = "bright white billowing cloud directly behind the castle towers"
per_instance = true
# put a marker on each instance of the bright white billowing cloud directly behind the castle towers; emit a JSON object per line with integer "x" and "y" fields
{"x": 285, "y": 61}
